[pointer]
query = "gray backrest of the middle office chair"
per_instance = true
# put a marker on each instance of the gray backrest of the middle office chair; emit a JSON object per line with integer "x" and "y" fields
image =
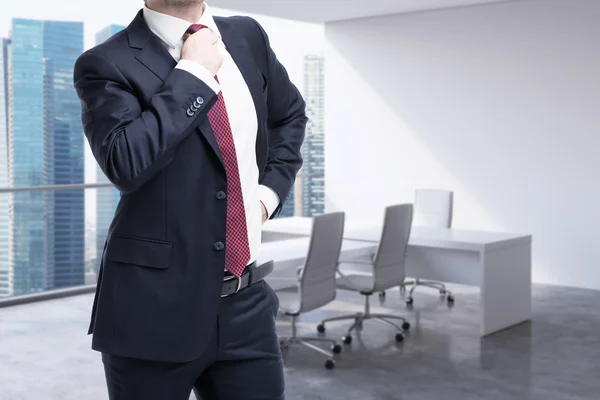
{"x": 389, "y": 267}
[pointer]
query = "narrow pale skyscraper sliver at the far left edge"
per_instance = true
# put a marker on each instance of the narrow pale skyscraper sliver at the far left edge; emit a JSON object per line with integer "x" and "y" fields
{"x": 5, "y": 270}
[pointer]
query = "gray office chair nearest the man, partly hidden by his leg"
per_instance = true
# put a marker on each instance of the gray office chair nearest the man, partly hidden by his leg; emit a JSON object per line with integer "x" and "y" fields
{"x": 316, "y": 286}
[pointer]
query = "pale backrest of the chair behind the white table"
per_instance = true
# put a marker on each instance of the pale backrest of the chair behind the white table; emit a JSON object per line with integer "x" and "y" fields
{"x": 433, "y": 208}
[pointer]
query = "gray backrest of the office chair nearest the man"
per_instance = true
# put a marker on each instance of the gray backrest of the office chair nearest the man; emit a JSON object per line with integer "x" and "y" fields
{"x": 317, "y": 282}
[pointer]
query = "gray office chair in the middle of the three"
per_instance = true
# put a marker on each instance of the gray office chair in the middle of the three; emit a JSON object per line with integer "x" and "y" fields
{"x": 388, "y": 271}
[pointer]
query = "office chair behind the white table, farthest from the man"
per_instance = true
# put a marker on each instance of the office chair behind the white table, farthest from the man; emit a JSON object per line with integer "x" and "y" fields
{"x": 433, "y": 209}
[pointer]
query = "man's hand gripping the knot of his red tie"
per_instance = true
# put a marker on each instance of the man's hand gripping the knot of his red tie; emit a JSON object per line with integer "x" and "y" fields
{"x": 200, "y": 47}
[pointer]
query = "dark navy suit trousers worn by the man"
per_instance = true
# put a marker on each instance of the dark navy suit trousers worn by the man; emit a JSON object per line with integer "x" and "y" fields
{"x": 242, "y": 361}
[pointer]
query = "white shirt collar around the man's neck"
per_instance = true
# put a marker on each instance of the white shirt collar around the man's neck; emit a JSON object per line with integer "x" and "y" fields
{"x": 171, "y": 29}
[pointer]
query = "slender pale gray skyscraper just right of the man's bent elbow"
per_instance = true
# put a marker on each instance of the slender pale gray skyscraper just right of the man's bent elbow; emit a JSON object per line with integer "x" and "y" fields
{"x": 312, "y": 175}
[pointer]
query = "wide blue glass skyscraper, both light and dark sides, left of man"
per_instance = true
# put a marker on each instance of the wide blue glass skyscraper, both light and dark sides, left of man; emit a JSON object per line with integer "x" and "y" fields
{"x": 45, "y": 148}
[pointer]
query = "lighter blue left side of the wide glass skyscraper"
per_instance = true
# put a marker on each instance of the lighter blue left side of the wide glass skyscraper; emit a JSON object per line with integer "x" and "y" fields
{"x": 26, "y": 156}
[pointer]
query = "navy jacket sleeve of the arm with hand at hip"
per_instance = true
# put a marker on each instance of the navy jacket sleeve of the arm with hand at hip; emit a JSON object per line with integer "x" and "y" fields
{"x": 286, "y": 124}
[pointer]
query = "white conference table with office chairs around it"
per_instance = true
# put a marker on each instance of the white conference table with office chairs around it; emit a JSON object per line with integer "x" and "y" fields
{"x": 498, "y": 263}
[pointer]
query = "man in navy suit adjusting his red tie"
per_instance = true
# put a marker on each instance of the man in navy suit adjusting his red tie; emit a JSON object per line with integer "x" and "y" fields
{"x": 197, "y": 124}
